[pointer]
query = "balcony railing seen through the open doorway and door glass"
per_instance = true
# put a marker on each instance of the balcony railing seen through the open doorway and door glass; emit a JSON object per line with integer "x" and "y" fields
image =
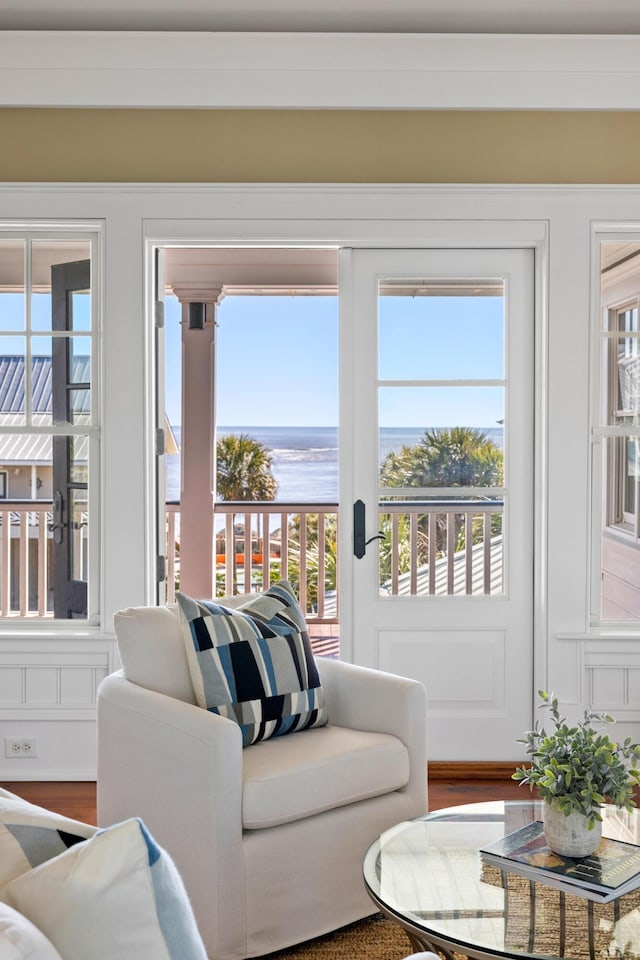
{"x": 430, "y": 548}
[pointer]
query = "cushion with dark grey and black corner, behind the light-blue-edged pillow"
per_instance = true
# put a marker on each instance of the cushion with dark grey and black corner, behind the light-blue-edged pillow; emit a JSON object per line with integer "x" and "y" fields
{"x": 29, "y": 835}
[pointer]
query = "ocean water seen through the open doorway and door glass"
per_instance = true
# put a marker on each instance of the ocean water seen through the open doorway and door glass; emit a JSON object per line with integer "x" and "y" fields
{"x": 305, "y": 459}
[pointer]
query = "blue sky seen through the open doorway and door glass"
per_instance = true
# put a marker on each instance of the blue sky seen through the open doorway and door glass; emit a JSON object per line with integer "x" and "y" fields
{"x": 277, "y": 361}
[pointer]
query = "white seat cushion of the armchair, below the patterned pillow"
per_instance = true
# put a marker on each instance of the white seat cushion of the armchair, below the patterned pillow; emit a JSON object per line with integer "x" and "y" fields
{"x": 286, "y": 780}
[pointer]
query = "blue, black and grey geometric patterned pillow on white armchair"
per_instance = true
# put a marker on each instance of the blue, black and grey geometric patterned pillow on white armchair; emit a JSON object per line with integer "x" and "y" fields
{"x": 254, "y": 664}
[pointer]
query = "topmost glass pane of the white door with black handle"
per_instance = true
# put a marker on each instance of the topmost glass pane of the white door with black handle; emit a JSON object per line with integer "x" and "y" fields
{"x": 431, "y": 337}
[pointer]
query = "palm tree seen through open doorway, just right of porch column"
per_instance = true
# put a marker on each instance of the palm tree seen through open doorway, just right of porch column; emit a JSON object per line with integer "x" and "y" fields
{"x": 243, "y": 469}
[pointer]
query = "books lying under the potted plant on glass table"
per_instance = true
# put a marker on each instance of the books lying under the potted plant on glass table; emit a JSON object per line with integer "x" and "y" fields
{"x": 610, "y": 872}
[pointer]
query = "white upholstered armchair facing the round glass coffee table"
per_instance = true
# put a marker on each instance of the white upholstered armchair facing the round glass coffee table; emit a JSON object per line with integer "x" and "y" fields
{"x": 268, "y": 839}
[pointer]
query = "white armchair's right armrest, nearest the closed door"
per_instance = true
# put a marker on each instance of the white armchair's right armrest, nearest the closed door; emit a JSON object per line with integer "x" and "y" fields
{"x": 366, "y": 699}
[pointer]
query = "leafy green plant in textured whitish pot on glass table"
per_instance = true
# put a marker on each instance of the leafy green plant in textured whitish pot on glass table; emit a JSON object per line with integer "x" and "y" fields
{"x": 575, "y": 769}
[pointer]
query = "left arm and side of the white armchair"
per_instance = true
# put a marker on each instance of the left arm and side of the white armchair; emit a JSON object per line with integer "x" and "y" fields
{"x": 179, "y": 768}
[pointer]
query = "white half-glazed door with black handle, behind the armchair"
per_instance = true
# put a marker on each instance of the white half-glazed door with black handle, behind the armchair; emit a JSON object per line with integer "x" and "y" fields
{"x": 437, "y": 441}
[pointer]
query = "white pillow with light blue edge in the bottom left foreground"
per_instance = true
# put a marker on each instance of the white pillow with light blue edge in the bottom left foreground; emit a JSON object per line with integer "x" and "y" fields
{"x": 114, "y": 897}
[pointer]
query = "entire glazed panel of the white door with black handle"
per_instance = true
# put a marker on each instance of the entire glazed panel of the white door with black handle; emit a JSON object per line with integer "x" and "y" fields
{"x": 441, "y": 413}
